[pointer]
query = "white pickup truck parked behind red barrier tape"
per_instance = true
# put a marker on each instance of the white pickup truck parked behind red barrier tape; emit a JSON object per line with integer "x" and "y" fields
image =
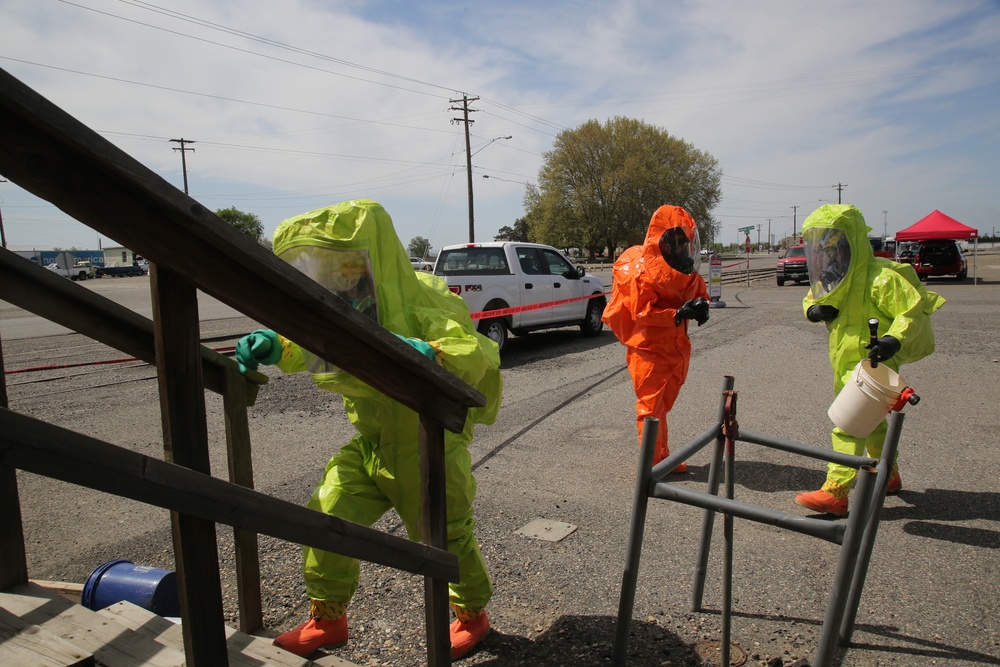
{"x": 534, "y": 286}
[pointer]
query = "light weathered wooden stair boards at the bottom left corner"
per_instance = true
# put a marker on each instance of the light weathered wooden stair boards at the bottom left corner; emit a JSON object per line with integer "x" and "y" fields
{"x": 42, "y": 628}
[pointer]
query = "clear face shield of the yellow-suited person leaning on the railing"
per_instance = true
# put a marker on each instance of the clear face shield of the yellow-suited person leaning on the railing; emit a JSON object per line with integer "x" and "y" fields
{"x": 346, "y": 273}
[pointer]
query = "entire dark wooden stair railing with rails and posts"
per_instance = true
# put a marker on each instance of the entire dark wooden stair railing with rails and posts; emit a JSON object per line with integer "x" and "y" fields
{"x": 54, "y": 156}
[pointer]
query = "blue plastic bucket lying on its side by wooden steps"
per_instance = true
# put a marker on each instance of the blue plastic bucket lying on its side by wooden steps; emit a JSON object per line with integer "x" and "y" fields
{"x": 148, "y": 587}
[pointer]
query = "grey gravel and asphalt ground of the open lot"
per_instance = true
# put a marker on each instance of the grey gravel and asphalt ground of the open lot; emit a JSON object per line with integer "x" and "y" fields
{"x": 564, "y": 450}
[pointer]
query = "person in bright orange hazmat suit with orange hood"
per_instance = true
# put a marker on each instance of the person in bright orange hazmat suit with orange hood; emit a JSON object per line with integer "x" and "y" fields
{"x": 656, "y": 289}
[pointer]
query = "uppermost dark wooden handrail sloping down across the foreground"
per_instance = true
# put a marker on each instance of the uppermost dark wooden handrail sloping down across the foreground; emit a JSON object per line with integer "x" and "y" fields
{"x": 51, "y": 154}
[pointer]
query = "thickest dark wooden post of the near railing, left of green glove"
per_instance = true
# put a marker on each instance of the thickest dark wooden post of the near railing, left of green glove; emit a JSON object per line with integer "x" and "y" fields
{"x": 185, "y": 441}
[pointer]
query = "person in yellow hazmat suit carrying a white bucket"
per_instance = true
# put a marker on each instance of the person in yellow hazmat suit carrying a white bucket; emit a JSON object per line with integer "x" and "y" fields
{"x": 849, "y": 286}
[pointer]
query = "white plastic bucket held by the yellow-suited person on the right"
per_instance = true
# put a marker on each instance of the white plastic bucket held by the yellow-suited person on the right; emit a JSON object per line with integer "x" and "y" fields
{"x": 866, "y": 399}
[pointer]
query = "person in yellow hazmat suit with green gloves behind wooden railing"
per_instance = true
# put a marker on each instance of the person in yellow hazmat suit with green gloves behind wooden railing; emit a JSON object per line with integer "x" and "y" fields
{"x": 352, "y": 250}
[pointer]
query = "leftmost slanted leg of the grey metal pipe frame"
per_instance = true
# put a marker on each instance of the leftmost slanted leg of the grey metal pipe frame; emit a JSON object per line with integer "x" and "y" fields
{"x": 633, "y": 551}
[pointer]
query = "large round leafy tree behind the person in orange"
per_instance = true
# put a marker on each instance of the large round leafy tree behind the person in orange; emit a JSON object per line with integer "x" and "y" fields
{"x": 600, "y": 184}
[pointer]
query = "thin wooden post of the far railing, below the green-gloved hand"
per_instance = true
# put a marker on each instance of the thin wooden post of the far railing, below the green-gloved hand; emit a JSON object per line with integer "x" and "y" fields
{"x": 234, "y": 401}
